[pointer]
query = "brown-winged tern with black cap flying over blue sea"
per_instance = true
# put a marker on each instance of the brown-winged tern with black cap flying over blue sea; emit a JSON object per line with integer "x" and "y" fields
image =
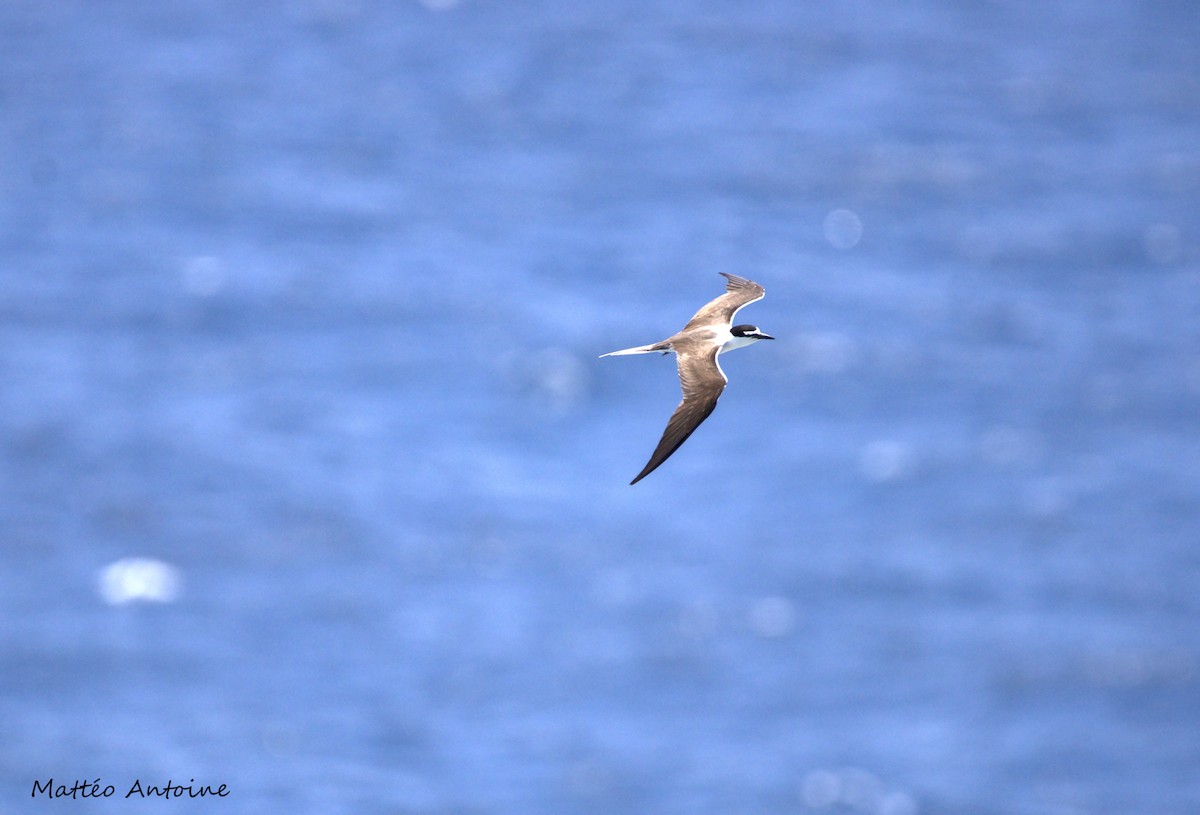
{"x": 697, "y": 347}
